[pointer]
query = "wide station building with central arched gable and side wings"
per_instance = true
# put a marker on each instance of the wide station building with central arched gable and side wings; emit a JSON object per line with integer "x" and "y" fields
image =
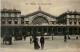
{"x": 39, "y": 23}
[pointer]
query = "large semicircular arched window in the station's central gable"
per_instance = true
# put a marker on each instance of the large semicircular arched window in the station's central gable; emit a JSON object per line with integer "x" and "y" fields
{"x": 40, "y": 20}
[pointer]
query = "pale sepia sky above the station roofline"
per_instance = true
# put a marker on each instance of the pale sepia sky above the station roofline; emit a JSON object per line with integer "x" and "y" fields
{"x": 54, "y": 7}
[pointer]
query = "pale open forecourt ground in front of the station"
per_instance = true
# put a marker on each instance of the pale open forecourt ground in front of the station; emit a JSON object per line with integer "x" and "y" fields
{"x": 56, "y": 45}
